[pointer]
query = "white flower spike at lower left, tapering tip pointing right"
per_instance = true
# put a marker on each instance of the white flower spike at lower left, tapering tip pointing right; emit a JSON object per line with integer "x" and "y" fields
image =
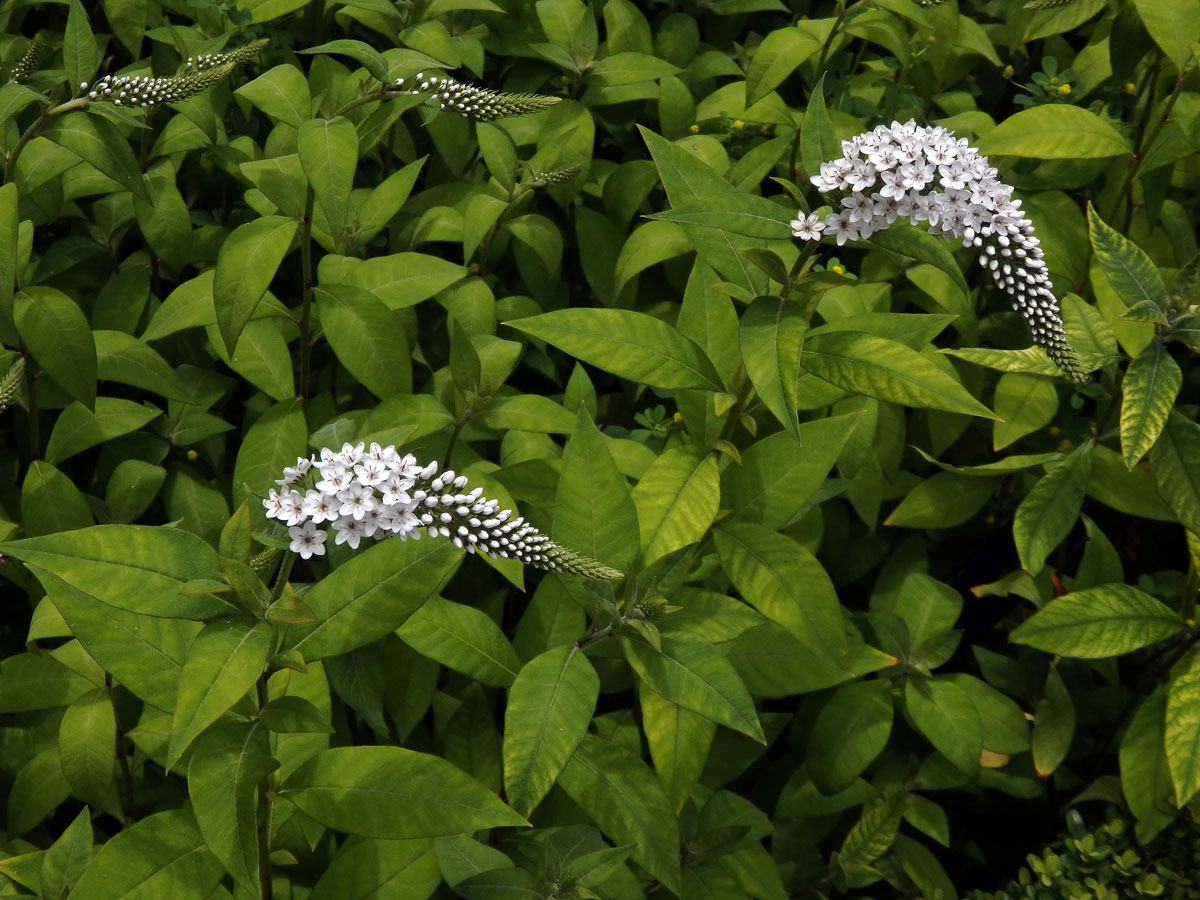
{"x": 376, "y": 493}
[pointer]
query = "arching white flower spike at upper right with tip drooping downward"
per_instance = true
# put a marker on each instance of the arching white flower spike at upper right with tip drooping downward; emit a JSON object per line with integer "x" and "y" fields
{"x": 926, "y": 175}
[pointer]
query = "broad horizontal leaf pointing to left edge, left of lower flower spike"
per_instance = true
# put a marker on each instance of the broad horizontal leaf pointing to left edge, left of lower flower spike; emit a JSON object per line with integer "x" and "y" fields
{"x": 129, "y": 567}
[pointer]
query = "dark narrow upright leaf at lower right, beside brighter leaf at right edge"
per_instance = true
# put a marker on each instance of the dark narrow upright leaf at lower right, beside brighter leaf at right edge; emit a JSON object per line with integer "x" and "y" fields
{"x": 1145, "y": 773}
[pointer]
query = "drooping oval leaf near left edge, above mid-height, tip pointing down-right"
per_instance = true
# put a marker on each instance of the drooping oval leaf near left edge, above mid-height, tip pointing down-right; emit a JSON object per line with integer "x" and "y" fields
{"x": 56, "y": 332}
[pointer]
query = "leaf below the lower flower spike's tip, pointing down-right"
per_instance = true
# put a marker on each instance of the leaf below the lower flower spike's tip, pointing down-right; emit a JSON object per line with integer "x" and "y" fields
{"x": 693, "y": 674}
